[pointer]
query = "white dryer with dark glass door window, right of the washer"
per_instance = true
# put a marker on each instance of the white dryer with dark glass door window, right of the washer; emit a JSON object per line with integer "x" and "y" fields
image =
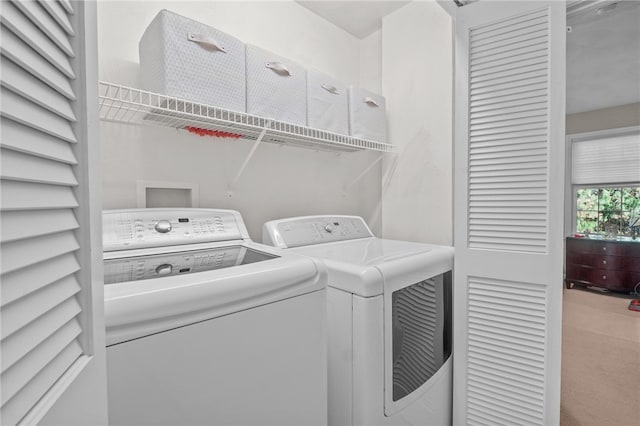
{"x": 389, "y": 316}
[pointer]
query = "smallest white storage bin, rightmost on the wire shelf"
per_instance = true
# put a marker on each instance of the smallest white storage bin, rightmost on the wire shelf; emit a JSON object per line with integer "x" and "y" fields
{"x": 367, "y": 118}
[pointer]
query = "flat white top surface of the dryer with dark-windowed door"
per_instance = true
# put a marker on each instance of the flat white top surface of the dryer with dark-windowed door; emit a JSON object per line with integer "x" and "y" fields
{"x": 363, "y": 266}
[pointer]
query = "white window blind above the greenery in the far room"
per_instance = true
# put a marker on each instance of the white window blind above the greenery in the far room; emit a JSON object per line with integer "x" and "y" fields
{"x": 609, "y": 159}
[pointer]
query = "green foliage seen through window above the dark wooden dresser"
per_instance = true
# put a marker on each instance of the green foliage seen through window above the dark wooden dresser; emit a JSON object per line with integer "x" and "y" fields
{"x": 598, "y": 208}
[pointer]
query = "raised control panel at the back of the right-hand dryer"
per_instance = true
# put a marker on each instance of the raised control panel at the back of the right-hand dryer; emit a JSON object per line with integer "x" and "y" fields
{"x": 308, "y": 230}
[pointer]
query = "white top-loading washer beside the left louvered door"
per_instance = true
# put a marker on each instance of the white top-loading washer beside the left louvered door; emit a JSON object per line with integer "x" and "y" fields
{"x": 205, "y": 327}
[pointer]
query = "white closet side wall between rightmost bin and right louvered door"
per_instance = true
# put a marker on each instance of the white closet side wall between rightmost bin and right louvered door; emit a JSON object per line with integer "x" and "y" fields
{"x": 417, "y": 80}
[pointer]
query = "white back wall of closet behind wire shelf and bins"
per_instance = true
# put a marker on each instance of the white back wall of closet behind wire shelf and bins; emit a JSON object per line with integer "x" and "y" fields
{"x": 279, "y": 181}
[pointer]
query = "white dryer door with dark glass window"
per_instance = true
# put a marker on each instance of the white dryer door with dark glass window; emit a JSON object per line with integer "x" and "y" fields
{"x": 417, "y": 327}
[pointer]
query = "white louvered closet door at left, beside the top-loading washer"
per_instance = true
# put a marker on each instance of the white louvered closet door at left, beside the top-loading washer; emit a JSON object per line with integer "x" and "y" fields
{"x": 46, "y": 289}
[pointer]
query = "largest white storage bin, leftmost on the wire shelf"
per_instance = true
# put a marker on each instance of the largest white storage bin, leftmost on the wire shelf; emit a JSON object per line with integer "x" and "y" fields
{"x": 186, "y": 59}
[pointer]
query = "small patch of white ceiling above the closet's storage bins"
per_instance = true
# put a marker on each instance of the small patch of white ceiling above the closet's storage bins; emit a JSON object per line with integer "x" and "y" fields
{"x": 359, "y": 18}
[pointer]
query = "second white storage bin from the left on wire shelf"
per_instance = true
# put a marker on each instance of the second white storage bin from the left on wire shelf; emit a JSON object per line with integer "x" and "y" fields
{"x": 276, "y": 87}
